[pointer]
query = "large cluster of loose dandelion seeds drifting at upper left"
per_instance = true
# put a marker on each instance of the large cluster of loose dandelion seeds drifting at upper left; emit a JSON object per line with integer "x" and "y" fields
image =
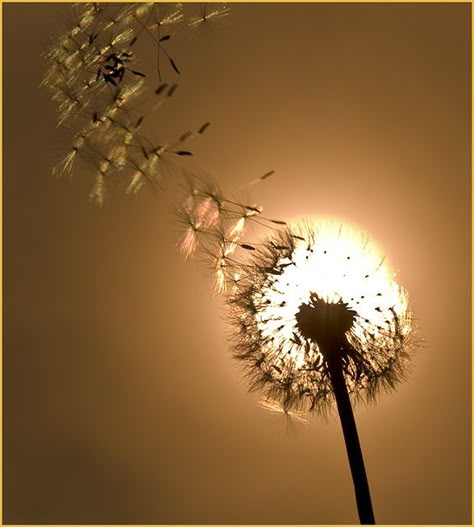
{"x": 103, "y": 91}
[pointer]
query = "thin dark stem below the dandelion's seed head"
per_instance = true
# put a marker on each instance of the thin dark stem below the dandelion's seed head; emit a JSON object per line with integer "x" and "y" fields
{"x": 351, "y": 438}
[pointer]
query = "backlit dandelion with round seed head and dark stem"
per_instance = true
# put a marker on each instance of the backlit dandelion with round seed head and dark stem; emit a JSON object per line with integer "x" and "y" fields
{"x": 318, "y": 319}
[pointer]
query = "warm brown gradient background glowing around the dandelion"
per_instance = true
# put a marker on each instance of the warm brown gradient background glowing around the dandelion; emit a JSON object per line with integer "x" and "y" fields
{"x": 121, "y": 404}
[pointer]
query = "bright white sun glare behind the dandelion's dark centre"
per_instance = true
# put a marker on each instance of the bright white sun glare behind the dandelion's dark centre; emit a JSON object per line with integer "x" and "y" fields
{"x": 339, "y": 264}
